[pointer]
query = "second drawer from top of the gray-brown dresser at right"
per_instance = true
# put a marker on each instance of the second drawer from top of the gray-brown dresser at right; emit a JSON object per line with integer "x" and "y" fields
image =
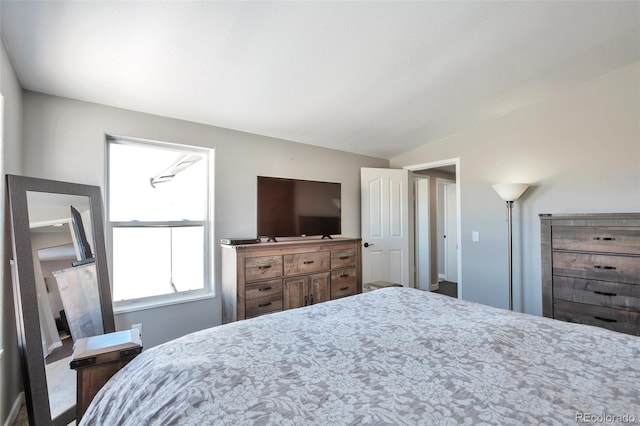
{"x": 624, "y": 269}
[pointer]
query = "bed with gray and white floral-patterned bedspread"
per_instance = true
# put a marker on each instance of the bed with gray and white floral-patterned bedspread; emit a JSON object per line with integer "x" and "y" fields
{"x": 390, "y": 356}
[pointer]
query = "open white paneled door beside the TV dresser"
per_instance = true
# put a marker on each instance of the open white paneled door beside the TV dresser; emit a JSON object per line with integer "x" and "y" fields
{"x": 385, "y": 226}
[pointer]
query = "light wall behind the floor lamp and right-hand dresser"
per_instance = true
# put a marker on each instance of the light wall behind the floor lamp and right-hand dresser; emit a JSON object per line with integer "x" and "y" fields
{"x": 580, "y": 150}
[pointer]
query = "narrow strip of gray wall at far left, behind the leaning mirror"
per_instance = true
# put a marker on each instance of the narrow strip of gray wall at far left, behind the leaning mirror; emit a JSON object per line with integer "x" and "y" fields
{"x": 10, "y": 162}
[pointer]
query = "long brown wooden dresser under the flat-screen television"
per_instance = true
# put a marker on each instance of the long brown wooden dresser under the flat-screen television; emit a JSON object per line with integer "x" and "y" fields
{"x": 258, "y": 279}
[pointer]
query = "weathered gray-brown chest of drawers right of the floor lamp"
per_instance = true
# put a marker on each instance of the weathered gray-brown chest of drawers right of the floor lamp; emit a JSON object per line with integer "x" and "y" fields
{"x": 591, "y": 269}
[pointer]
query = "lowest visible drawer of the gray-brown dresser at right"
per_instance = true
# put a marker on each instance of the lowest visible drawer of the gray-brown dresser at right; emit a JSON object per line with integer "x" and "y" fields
{"x": 613, "y": 319}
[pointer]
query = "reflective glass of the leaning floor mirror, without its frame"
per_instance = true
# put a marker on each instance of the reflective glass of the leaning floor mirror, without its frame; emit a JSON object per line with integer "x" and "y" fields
{"x": 66, "y": 282}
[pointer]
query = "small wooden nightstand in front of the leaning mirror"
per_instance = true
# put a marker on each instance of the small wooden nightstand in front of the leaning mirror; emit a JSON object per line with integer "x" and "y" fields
{"x": 96, "y": 359}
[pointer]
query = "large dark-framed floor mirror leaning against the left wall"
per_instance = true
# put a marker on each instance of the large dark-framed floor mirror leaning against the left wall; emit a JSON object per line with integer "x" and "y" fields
{"x": 61, "y": 287}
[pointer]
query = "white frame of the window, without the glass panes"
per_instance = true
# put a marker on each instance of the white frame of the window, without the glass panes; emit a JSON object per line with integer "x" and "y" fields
{"x": 148, "y": 302}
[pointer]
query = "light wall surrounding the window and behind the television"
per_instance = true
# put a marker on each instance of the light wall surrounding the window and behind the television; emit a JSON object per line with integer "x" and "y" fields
{"x": 65, "y": 140}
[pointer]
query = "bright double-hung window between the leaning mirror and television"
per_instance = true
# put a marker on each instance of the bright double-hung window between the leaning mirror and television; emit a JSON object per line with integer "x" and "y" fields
{"x": 159, "y": 214}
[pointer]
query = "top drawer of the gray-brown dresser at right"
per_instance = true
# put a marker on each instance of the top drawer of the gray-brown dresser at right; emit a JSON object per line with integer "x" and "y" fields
{"x": 621, "y": 240}
